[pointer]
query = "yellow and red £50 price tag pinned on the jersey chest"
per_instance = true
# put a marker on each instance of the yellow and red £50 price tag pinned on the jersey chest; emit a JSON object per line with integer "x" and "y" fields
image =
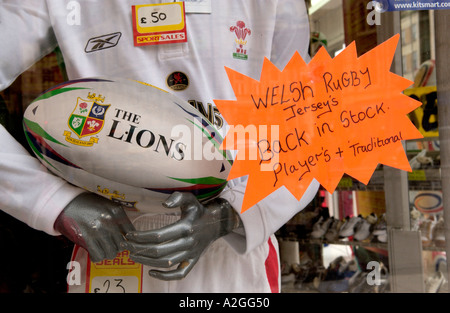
{"x": 155, "y": 24}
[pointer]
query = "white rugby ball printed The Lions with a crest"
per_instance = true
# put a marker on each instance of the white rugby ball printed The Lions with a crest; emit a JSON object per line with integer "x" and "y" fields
{"x": 126, "y": 140}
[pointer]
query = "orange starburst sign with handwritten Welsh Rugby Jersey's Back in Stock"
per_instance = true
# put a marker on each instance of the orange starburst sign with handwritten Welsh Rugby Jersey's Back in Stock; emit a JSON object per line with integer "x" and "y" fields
{"x": 319, "y": 120}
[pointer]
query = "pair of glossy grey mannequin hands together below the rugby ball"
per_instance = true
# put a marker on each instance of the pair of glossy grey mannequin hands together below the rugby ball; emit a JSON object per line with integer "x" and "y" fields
{"x": 103, "y": 228}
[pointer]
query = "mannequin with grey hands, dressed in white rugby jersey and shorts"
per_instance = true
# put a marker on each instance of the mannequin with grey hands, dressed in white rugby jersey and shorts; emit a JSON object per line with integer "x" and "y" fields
{"x": 233, "y": 258}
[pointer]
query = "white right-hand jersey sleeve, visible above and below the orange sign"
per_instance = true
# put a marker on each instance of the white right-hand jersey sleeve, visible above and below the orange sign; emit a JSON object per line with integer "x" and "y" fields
{"x": 291, "y": 34}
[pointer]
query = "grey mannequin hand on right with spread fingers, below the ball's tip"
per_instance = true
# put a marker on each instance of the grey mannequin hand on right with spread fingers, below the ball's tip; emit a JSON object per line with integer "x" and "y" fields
{"x": 183, "y": 242}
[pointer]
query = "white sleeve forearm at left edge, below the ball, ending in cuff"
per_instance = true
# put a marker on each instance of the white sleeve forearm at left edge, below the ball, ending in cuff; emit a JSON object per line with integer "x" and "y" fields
{"x": 28, "y": 191}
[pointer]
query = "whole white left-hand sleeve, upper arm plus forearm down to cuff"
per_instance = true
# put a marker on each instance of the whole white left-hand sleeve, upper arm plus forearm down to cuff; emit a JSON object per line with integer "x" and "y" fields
{"x": 28, "y": 191}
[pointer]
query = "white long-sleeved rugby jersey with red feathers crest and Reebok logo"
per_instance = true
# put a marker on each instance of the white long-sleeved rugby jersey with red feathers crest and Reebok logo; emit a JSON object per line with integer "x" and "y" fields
{"x": 96, "y": 39}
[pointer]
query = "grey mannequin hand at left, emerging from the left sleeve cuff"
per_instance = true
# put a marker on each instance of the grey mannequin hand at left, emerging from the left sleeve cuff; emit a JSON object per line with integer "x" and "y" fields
{"x": 95, "y": 223}
